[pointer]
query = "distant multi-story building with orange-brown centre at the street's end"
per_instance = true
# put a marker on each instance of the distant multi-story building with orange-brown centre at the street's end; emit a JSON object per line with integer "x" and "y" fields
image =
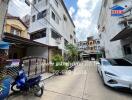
{"x": 89, "y": 49}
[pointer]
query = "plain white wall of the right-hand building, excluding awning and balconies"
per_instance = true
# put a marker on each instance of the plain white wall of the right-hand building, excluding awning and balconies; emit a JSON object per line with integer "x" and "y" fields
{"x": 108, "y": 28}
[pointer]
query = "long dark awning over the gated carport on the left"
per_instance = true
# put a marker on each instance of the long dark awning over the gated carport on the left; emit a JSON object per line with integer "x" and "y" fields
{"x": 14, "y": 39}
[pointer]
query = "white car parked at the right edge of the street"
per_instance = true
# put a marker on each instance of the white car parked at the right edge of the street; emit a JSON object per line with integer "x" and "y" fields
{"x": 116, "y": 73}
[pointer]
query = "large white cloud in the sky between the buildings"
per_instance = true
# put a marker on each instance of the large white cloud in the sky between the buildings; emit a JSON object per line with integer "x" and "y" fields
{"x": 86, "y": 18}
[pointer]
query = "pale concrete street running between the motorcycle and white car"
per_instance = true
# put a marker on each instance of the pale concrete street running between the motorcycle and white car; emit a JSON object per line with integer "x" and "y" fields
{"x": 82, "y": 84}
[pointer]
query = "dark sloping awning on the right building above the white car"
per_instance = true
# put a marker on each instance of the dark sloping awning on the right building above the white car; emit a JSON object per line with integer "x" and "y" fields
{"x": 125, "y": 33}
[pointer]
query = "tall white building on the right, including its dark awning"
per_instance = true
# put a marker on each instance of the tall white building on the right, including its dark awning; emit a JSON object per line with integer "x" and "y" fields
{"x": 117, "y": 28}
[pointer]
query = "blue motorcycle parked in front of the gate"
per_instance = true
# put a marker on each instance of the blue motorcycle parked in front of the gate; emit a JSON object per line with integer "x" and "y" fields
{"x": 23, "y": 84}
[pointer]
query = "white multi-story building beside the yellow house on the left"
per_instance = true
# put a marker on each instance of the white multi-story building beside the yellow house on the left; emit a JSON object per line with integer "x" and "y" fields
{"x": 51, "y": 24}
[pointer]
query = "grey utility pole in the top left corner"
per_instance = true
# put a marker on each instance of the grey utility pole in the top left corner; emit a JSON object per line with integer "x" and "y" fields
{"x": 3, "y": 11}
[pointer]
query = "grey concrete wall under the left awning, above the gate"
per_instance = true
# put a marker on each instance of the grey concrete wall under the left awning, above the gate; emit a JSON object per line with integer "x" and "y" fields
{"x": 38, "y": 51}
